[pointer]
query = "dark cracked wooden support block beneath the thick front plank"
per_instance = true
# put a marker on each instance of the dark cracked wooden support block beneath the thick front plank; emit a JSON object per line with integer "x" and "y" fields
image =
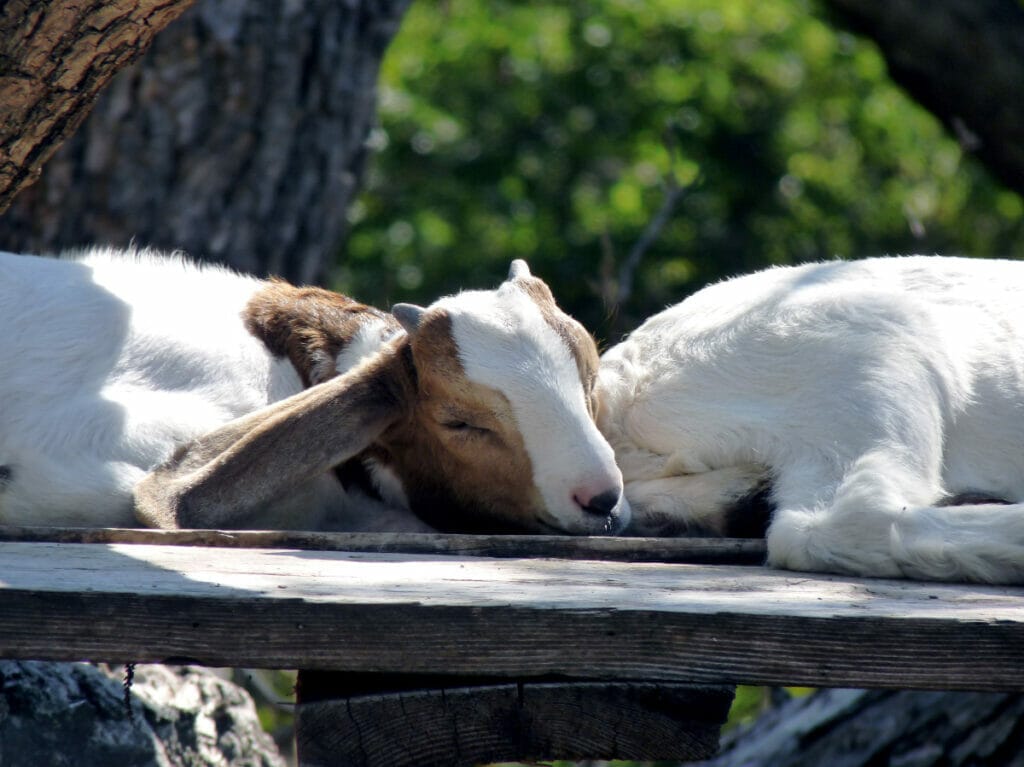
{"x": 500, "y": 723}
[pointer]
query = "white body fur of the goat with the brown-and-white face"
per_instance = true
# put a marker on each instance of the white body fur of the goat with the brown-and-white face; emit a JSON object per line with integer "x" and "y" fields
{"x": 111, "y": 361}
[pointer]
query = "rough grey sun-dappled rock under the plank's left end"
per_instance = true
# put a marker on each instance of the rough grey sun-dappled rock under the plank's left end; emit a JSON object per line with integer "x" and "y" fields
{"x": 74, "y": 715}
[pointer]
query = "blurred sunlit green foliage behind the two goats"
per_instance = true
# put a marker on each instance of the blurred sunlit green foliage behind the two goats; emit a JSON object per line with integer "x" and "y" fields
{"x": 547, "y": 131}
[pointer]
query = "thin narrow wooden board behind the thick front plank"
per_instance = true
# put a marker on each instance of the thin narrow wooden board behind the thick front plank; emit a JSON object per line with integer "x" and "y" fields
{"x": 692, "y": 550}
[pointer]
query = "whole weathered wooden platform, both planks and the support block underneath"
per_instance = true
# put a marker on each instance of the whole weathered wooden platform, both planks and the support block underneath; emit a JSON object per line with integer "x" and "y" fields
{"x": 456, "y": 650}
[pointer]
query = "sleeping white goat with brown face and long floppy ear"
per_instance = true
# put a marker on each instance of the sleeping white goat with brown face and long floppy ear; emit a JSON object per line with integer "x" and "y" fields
{"x": 143, "y": 388}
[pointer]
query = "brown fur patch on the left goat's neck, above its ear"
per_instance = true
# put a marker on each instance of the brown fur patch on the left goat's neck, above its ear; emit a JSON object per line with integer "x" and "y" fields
{"x": 310, "y": 326}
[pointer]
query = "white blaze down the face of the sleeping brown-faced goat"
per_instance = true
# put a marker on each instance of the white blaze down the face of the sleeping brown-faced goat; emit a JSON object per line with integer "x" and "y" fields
{"x": 504, "y": 343}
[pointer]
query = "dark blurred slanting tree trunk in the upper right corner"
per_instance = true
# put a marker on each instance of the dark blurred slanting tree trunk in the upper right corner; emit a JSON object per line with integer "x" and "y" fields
{"x": 963, "y": 61}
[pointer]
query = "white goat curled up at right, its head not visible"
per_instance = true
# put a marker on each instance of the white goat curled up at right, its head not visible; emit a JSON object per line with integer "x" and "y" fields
{"x": 881, "y": 401}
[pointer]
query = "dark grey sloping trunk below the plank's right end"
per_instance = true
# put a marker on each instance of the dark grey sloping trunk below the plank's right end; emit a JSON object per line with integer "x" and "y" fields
{"x": 866, "y": 729}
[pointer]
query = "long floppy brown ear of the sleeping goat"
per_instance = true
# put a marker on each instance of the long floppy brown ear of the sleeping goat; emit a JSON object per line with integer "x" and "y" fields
{"x": 225, "y": 477}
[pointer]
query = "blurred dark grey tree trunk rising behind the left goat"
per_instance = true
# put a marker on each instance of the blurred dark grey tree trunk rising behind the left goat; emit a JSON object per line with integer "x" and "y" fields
{"x": 240, "y": 138}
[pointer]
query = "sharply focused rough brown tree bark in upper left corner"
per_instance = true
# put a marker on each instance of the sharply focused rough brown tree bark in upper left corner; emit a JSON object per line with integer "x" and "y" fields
{"x": 55, "y": 59}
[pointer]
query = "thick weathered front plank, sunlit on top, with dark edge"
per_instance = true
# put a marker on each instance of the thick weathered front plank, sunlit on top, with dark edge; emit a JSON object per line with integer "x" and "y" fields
{"x": 513, "y": 619}
